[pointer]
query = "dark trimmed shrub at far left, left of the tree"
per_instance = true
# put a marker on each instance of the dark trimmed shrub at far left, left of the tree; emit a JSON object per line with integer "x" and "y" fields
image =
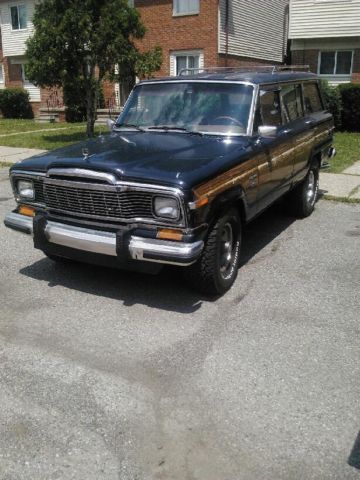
{"x": 15, "y": 103}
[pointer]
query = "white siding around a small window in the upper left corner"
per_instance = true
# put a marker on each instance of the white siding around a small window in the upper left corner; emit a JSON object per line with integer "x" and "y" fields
{"x": 13, "y": 41}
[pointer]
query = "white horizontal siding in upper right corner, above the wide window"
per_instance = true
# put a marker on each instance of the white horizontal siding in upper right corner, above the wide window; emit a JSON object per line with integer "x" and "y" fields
{"x": 324, "y": 18}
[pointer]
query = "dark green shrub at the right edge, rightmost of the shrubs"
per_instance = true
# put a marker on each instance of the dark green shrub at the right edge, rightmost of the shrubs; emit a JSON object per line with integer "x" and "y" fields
{"x": 350, "y": 96}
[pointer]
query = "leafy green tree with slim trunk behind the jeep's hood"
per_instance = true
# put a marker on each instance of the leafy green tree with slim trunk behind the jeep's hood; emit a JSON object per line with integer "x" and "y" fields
{"x": 78, "y": 44}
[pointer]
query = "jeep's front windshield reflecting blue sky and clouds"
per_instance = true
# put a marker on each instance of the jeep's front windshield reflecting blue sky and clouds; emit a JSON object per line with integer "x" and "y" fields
{"x": 195, "y": 107}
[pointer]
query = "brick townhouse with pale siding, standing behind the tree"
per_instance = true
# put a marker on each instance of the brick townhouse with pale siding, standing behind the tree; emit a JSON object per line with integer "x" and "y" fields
{"x": 192, "y": 34}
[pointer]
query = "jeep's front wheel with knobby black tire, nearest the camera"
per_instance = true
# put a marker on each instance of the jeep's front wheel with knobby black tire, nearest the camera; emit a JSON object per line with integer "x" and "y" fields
{"x": 216, "y": 270}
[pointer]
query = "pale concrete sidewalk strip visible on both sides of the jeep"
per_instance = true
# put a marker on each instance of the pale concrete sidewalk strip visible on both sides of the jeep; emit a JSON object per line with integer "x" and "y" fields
{"x": 341, "y": 185}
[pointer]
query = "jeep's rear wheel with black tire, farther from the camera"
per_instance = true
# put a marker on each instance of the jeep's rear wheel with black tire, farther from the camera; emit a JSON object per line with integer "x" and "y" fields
{"x": 301, "y": 201}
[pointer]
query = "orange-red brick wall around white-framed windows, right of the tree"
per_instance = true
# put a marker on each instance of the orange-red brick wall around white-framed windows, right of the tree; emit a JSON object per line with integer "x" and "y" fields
{"x": 179, "y": 33}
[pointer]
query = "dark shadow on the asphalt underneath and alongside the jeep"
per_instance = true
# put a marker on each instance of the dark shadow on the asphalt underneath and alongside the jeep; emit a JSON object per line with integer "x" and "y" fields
{"x": 167, "y": 290}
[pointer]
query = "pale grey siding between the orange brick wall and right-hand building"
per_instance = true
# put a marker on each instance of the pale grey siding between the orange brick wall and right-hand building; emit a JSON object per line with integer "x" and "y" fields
{"x": 257, "y": 29}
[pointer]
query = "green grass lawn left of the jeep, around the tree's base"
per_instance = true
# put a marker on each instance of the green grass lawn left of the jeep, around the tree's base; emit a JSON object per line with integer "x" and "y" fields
{"x": 45, "y": 136}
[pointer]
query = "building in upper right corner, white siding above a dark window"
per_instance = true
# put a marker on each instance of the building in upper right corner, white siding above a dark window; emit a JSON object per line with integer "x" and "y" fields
{"x": 325, "y": 34}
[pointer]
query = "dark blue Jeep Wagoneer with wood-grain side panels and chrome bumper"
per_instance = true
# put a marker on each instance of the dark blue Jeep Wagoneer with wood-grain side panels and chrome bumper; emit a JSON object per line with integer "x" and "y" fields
{"x": 189, "y": 161}
